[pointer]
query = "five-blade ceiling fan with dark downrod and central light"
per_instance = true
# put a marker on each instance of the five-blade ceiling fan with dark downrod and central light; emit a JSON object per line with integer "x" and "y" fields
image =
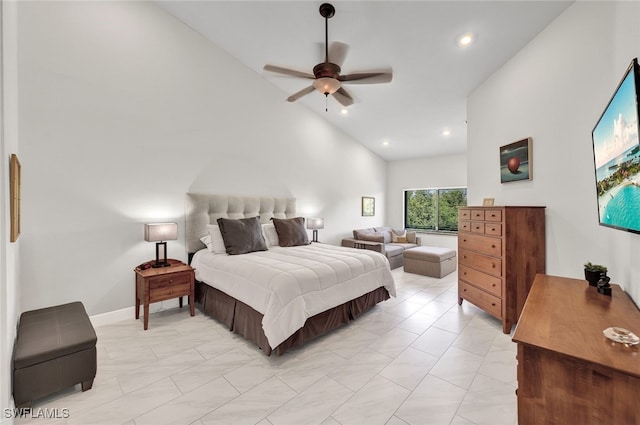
{"x": 326, "y": 75}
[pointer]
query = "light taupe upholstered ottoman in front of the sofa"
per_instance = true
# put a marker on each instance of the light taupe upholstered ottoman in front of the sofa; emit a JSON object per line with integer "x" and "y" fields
{"x": 430, "y": 261}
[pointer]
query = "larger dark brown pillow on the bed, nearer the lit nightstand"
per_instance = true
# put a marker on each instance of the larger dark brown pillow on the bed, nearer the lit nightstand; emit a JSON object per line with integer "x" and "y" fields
{"x": 242, "y": 236}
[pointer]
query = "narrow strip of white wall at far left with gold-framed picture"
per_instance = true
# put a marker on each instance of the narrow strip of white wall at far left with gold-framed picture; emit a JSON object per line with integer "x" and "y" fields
{"x": 9, "y": 252}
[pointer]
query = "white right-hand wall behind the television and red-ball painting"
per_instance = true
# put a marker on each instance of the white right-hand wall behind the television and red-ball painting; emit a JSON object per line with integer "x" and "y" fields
{"x": 554, "y": 90}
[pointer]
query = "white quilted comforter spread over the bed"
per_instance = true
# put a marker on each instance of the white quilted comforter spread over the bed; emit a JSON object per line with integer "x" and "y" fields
{"x": 288, "y": 285}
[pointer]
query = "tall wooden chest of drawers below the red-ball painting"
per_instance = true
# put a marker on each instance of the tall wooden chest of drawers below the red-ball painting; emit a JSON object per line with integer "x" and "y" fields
{"x": 500, "y": 250}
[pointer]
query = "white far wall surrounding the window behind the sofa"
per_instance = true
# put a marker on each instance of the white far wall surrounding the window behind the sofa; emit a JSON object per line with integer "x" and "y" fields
{"x": 436, "y": 172}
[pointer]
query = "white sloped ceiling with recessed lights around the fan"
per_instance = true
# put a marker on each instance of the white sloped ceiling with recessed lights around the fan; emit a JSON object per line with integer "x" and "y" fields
{"x": 417, "y": 39}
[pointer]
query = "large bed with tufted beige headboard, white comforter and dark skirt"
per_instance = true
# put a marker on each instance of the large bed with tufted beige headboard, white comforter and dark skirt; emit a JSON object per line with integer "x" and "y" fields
{"x": 279, "y": 297}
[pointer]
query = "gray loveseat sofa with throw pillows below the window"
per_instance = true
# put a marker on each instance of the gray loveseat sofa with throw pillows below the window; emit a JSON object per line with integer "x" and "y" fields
{"x": 385, "y": 240}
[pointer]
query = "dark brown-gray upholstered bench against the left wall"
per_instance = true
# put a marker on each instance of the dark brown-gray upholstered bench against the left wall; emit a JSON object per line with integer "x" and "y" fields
{"x": 55, "y": 349}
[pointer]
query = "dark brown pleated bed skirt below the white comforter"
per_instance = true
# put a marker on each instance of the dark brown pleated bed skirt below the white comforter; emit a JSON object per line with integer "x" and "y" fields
{"x": 244, "y": 320}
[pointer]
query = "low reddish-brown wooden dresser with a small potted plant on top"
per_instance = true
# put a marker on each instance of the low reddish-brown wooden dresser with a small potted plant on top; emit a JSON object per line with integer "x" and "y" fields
{"x": 568, "y": 372}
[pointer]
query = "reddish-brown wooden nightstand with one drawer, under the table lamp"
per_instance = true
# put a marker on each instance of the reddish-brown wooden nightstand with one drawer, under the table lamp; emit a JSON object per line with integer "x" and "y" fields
{"x": 163, "y": 283}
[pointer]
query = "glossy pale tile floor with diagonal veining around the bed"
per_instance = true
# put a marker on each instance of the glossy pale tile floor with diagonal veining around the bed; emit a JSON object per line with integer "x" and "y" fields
{"x": 415, "y": 359}
